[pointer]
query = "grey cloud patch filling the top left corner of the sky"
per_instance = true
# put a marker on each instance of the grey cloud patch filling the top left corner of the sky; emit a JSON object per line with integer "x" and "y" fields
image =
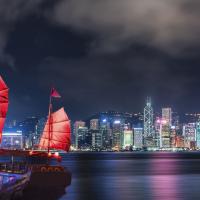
{"x": 10, "y": 12}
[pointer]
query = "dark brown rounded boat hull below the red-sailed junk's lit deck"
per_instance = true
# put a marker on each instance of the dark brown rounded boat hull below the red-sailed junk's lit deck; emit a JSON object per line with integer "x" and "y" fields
{"x": 47, "y": 182}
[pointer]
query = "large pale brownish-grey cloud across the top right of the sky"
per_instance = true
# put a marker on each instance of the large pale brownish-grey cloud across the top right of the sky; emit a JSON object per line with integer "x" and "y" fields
{"x": 171, "y": 25}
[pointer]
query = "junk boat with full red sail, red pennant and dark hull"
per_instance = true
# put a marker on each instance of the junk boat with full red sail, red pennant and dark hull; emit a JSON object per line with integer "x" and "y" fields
{"x": 56, "y": 136}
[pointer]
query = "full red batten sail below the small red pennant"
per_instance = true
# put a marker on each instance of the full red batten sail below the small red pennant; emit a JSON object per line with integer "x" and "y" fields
{"x": 60, "y": 132}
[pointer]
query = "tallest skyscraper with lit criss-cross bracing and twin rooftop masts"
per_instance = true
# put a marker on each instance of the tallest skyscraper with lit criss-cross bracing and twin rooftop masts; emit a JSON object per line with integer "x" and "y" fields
{"x": 148, "y": 123}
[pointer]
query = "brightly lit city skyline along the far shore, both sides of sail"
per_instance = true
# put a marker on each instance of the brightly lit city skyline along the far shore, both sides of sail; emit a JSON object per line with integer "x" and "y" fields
{"x": 114, "y": 131}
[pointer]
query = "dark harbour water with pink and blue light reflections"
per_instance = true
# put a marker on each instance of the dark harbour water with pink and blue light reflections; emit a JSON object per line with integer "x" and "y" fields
{"x": 128, "y": 176}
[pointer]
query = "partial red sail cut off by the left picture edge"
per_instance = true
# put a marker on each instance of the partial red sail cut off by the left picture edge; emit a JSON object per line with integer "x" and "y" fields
{"x": 3, "y": 104}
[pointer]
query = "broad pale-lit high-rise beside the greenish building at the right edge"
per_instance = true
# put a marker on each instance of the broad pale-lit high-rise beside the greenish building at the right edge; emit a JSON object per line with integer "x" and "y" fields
{"x": 189, "y": 133}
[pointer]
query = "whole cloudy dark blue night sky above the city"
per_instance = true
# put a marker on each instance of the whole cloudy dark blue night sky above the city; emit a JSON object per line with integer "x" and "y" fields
{"x": 100, "y": 55}
